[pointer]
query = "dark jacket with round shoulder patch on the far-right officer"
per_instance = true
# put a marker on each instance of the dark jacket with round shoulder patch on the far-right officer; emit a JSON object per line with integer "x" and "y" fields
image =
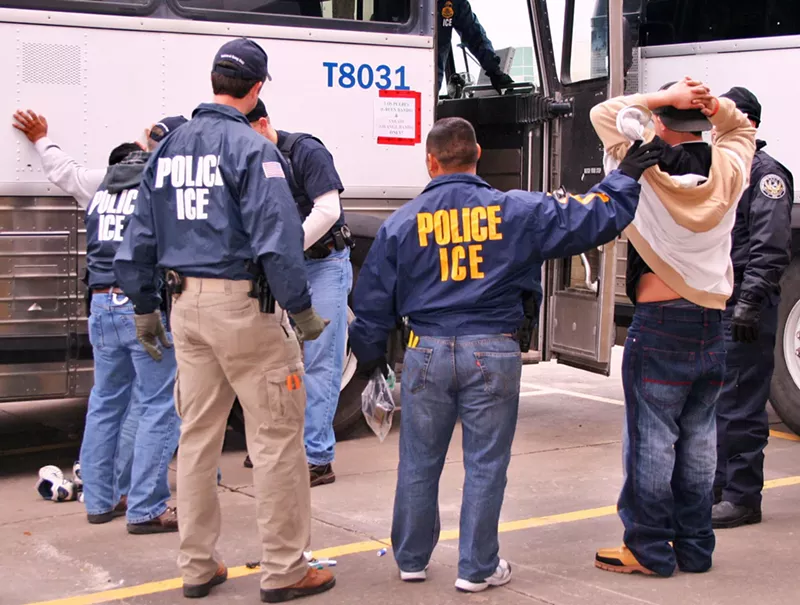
{"x": 762, "y": 234}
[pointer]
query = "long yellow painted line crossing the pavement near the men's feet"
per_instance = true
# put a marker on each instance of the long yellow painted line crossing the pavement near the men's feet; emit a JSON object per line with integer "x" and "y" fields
{"x": 139, "y": 590}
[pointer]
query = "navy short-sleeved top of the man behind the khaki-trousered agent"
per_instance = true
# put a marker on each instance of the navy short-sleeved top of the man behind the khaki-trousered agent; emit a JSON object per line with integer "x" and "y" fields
{"x": 314, "y": 172}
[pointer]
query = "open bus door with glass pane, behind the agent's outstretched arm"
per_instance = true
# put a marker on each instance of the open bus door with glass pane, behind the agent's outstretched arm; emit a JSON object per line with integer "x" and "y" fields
{"x": 578, "y": 69}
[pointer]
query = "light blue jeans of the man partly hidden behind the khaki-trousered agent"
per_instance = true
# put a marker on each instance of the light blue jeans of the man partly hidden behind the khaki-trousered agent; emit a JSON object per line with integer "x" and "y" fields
{"x": 330, "y": 279}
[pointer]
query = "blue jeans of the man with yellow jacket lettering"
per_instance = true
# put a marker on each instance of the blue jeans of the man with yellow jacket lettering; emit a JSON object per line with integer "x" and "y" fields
{"x": 476, "y": 379}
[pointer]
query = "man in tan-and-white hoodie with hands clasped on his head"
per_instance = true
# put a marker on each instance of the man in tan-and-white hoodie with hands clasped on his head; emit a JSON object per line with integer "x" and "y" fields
{"x": 679, "y": 278}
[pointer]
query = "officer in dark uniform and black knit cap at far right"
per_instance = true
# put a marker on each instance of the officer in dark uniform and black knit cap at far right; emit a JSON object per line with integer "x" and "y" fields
{"x": 762, "y": 238}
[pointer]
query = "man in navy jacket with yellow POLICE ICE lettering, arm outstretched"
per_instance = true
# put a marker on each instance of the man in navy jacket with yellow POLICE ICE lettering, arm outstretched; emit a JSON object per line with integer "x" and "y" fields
{"x": 457, "y": 261}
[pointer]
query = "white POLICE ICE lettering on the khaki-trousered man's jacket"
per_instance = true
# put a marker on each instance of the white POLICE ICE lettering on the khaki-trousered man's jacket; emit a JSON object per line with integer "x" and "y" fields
{"x": 192, "y": 178}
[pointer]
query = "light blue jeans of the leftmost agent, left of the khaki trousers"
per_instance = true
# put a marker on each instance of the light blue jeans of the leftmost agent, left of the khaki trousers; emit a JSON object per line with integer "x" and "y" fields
{"x": 122, "y": 366}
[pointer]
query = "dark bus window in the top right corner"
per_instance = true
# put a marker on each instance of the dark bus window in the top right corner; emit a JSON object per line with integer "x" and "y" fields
{"x": 689, "y": 21}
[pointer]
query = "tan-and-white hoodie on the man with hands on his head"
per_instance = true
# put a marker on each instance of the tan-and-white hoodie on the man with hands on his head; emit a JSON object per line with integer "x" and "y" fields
{"x": 682, "y": 226}
